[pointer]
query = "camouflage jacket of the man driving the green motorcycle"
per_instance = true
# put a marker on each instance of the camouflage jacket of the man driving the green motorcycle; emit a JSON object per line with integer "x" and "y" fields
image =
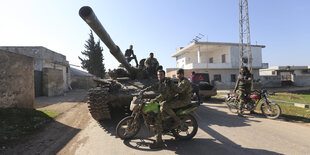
{"x": 165, "y": 89}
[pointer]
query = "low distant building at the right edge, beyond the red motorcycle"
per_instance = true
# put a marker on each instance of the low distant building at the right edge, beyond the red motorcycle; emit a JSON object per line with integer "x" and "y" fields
{"x": 285, "y": 75}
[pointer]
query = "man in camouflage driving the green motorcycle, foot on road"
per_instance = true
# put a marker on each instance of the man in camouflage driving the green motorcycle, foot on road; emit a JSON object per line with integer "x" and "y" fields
{"x": 165, "y": 87}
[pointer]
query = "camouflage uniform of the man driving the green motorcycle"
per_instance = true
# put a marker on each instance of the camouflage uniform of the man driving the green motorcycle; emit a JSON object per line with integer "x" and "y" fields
{"x": 166, "y": 90}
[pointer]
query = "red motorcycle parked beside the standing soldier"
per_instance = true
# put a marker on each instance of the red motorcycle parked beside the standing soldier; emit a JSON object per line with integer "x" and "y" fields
{"x": 270, "y": 109}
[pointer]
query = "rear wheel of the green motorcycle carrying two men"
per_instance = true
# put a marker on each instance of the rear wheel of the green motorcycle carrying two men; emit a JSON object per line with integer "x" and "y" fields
{"x": 188, "y": 128}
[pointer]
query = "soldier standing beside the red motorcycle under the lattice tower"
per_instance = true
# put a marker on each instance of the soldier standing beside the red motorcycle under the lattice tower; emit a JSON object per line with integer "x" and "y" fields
{"x": 244, "y": 86}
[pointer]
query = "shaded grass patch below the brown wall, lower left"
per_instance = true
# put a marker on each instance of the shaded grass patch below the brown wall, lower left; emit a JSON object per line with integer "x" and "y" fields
{"x": 16, "y": 123}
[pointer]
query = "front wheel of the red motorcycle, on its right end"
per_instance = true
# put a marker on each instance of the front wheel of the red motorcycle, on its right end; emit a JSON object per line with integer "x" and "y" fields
{"x": 271, "y": 109}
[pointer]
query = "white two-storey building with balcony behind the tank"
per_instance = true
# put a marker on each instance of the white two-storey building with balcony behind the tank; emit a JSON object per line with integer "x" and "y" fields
{"x": 219, "y": 60}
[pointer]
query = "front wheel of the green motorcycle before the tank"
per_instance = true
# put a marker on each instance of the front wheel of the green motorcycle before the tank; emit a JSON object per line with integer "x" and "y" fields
{"x": 127, "y": 128}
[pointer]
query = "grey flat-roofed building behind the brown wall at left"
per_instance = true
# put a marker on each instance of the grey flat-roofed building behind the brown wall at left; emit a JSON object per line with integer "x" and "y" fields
{"x": 51, "y": 69}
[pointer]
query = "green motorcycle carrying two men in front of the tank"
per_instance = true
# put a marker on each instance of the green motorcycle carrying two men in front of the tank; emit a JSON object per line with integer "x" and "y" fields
{"x": 129, "y": 126}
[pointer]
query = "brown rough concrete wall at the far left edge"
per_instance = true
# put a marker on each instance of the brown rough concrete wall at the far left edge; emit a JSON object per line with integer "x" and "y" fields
{"x": 16, "y": 80}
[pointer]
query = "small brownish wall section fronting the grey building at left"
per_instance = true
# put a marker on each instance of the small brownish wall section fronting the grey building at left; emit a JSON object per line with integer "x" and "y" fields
{"x": 52, "y": 82}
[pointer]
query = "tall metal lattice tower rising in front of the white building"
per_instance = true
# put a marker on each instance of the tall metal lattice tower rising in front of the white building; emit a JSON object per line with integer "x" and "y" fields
{"x": 244, "y": 37}
